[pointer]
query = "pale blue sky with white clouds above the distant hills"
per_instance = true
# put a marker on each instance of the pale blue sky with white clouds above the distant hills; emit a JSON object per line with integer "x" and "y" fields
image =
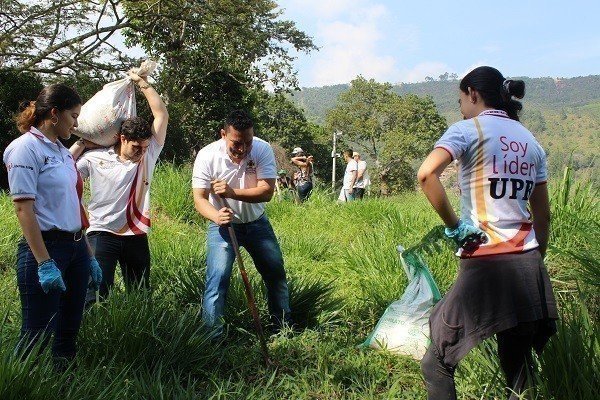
{"x": 405, "y": 41}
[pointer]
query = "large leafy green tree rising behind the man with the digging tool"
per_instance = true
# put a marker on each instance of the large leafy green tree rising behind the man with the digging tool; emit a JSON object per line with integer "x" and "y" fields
{"x": 217, "y": 56}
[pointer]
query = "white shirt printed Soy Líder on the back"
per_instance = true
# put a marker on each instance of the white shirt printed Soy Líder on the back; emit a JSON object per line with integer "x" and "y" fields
{"x": 500, "y": 164}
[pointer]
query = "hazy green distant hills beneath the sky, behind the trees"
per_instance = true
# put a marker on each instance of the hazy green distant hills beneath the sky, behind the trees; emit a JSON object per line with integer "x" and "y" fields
{"x": 564, "y": 113}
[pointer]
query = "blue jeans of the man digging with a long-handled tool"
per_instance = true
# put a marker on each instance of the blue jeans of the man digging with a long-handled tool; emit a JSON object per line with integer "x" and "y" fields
{"x": 258, "y": 238}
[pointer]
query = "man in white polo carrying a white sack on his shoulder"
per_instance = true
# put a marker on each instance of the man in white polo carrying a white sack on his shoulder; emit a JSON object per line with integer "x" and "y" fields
{"x": 119, "y": 206}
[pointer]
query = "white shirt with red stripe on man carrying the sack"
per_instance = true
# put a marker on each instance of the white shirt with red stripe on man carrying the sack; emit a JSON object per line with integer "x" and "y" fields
{"x": 120, "y": 190}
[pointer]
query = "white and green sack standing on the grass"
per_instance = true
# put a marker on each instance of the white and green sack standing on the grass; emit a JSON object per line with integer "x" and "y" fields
{"x": 404, "y": 326}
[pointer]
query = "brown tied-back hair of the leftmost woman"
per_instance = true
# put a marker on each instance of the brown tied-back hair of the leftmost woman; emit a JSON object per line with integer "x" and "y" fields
{"x": 59, "y": 96}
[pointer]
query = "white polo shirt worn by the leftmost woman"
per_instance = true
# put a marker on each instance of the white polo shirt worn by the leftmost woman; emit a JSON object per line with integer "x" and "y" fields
{"x": 44, "y": 171}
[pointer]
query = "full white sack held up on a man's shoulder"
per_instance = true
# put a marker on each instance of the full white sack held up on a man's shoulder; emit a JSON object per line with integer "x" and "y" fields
{"x": 101, "y": 116}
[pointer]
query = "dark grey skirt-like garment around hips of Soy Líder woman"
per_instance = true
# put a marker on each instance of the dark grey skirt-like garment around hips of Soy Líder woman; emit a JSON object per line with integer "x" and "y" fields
{"x": 493, "y": 294}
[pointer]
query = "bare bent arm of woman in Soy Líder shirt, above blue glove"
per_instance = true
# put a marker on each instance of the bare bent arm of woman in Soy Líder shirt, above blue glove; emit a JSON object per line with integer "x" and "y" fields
{"x": 429, "y": 179}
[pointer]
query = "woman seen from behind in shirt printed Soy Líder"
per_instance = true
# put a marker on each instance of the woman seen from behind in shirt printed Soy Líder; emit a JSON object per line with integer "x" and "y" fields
{"x": 502, "y": 287}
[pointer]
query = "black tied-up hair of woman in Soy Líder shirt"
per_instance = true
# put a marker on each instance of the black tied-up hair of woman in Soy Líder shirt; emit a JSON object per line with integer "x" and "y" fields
{"x": 495, "y": 90}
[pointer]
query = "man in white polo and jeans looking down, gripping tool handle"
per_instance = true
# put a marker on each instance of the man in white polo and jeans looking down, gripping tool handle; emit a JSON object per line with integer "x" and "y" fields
{"x": 240, "y": 169}
